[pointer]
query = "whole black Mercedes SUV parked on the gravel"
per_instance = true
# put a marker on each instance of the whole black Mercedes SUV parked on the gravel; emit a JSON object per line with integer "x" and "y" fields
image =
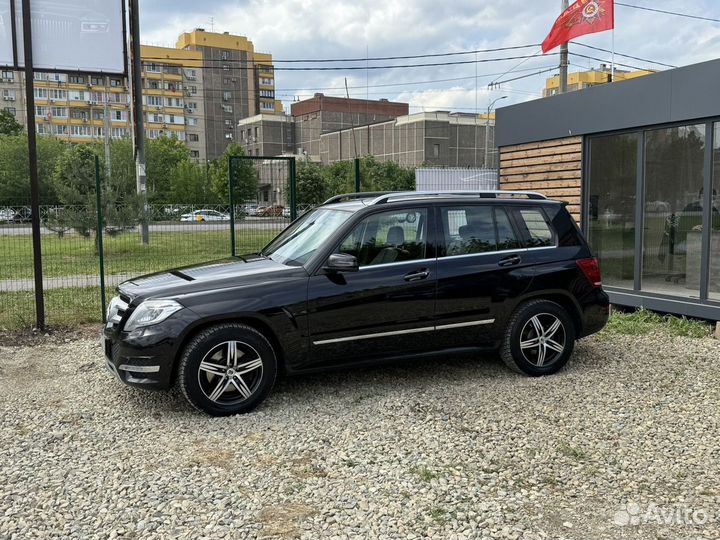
{"x": 362, "y": 278}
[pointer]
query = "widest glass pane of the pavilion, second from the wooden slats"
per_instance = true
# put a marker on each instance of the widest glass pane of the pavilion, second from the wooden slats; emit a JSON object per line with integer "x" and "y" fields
{"x": 673, "y": 216}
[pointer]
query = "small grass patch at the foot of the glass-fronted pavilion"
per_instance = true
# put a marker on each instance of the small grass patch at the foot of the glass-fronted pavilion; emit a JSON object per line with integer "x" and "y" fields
{"x": 643, "y": 322}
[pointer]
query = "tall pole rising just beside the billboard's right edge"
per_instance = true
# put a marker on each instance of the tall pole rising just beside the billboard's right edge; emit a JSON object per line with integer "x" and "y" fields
{"x": 138, "y": 116}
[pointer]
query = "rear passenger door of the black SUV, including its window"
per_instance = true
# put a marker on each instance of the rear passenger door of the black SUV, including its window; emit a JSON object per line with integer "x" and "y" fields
{"x": 481, "y": 265}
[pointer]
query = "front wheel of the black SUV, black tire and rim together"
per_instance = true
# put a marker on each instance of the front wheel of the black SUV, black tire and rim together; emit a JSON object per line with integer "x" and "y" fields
{"x": 219, "y": 387}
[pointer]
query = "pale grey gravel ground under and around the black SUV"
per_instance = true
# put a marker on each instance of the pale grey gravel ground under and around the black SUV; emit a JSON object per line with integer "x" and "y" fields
{"x": 622, "y": 444}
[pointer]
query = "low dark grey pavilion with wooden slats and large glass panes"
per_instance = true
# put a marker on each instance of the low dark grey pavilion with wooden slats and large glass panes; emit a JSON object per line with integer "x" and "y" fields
{"x": 639, "y": 164}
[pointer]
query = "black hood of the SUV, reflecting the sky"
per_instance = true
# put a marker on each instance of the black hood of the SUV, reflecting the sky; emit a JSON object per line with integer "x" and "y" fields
{"x": 231, "y": 272}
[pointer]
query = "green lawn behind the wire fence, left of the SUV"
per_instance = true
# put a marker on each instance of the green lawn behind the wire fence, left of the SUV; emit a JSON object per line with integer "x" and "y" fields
{"x": 124, "y": 253}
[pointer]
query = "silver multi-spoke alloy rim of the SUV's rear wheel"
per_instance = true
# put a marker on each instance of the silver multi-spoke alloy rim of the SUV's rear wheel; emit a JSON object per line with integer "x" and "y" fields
{"x": 542, "y": 339}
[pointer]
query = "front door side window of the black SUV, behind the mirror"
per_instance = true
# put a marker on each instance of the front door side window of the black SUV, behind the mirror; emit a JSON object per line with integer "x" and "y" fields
{"x": 388, "y": 237}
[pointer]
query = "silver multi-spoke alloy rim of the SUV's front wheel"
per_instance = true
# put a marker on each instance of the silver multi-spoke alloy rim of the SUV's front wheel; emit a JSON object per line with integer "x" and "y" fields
{"x": 230, "y": 372}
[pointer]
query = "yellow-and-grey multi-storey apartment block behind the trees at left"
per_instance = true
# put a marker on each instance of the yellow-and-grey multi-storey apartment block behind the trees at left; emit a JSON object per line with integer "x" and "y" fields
{"x": 195, "y": 92}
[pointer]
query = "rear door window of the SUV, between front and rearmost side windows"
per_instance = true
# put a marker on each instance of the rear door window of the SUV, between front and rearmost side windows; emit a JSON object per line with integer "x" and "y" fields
{"x": 476, "y": 229}
